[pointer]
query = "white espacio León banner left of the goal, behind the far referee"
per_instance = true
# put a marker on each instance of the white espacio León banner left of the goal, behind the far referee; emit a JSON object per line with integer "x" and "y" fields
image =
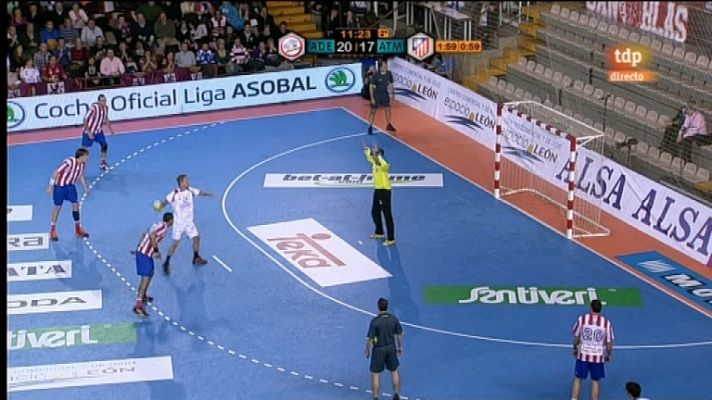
{"x": 460, "y": 108}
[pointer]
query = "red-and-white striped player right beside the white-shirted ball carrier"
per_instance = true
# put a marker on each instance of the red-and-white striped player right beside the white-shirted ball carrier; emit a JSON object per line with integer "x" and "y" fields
{"x": 146, "y": 251}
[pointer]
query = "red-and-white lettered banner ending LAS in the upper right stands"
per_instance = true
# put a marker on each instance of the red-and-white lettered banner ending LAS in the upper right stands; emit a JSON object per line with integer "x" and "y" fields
{"x": 663, "y": 18}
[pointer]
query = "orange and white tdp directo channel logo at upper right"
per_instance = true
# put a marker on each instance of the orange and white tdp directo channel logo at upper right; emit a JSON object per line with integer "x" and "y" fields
{"x": 627, "y": 64}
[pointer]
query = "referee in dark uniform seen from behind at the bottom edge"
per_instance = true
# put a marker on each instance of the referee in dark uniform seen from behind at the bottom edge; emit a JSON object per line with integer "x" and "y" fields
{"x": 383, "y": 344}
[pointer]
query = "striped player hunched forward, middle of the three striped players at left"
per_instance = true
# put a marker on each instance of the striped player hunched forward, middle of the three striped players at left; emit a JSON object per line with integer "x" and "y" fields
{"x": 62, "y": 187}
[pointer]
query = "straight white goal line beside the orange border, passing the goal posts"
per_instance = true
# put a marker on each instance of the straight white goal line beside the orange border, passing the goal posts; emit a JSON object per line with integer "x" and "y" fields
{"x": 641, "y": 277}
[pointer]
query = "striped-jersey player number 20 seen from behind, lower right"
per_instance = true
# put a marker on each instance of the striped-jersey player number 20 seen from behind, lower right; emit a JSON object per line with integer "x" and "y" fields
{"x": 593, "y": 346}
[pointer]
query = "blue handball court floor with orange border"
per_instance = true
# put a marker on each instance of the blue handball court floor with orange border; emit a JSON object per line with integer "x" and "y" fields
{"x": 252, "y": 325}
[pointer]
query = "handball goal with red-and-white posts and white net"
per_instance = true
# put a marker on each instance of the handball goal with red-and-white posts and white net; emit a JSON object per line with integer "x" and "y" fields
{"x": 542, "y": 152}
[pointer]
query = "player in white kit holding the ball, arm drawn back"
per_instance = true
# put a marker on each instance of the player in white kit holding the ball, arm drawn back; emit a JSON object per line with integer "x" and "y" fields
{"x": 182, "y": 201}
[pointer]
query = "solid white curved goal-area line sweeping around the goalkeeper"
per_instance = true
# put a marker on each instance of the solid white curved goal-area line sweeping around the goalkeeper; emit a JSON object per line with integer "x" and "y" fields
{"x": 362, "y": 311}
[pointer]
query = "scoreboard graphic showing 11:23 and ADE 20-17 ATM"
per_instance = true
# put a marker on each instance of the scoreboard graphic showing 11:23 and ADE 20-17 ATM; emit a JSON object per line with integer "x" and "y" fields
{"x": 375, "y": 43}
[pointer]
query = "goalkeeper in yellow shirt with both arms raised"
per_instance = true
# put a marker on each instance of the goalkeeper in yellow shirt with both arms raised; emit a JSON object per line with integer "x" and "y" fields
{"x": 381, "y": 195}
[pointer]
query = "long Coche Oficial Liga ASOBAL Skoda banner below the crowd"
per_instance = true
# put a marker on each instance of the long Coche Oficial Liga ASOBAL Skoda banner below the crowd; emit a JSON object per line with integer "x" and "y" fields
{"x": 27, "y": 113}
